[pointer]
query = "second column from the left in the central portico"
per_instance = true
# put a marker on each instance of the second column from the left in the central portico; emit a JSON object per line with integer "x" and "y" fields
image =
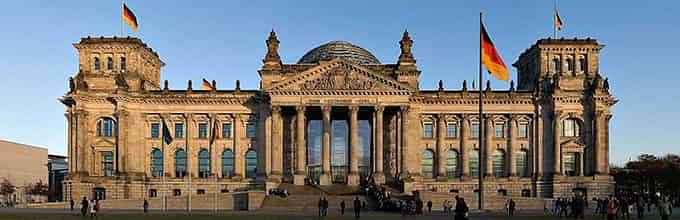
{"x": 299, "y": 177}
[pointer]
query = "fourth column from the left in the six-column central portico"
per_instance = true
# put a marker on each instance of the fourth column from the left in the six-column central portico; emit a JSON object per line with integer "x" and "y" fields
{"x": 353, "y": 178}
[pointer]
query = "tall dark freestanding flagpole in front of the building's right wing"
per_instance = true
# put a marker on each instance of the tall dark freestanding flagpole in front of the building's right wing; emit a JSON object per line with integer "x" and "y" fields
{"x": 480, "y": 178}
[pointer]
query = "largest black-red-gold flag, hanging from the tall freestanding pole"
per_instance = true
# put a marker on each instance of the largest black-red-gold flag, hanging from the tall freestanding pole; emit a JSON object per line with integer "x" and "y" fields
{"x": 490, "y": 57}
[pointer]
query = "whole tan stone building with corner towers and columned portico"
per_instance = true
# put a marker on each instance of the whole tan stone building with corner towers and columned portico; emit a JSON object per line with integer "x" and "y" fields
{"x": 547, "y": 137}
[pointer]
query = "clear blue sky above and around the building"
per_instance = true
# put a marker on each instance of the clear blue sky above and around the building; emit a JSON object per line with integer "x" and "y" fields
{"x": 224, "y": 41}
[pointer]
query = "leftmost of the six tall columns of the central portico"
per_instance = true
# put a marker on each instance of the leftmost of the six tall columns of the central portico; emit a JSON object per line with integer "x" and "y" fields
{"x": 277, "y": 143}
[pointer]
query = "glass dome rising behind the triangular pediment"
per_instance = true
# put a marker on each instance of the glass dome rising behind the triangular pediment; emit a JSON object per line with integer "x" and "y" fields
{"x": 339, "y": 49}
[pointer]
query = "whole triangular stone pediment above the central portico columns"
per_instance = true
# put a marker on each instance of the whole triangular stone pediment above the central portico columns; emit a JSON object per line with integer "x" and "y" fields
{"x": 339, "y": 76}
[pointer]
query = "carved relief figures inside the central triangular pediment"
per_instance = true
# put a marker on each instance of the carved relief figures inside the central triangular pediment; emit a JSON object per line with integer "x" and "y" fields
{"x": 339, "y": 78}
